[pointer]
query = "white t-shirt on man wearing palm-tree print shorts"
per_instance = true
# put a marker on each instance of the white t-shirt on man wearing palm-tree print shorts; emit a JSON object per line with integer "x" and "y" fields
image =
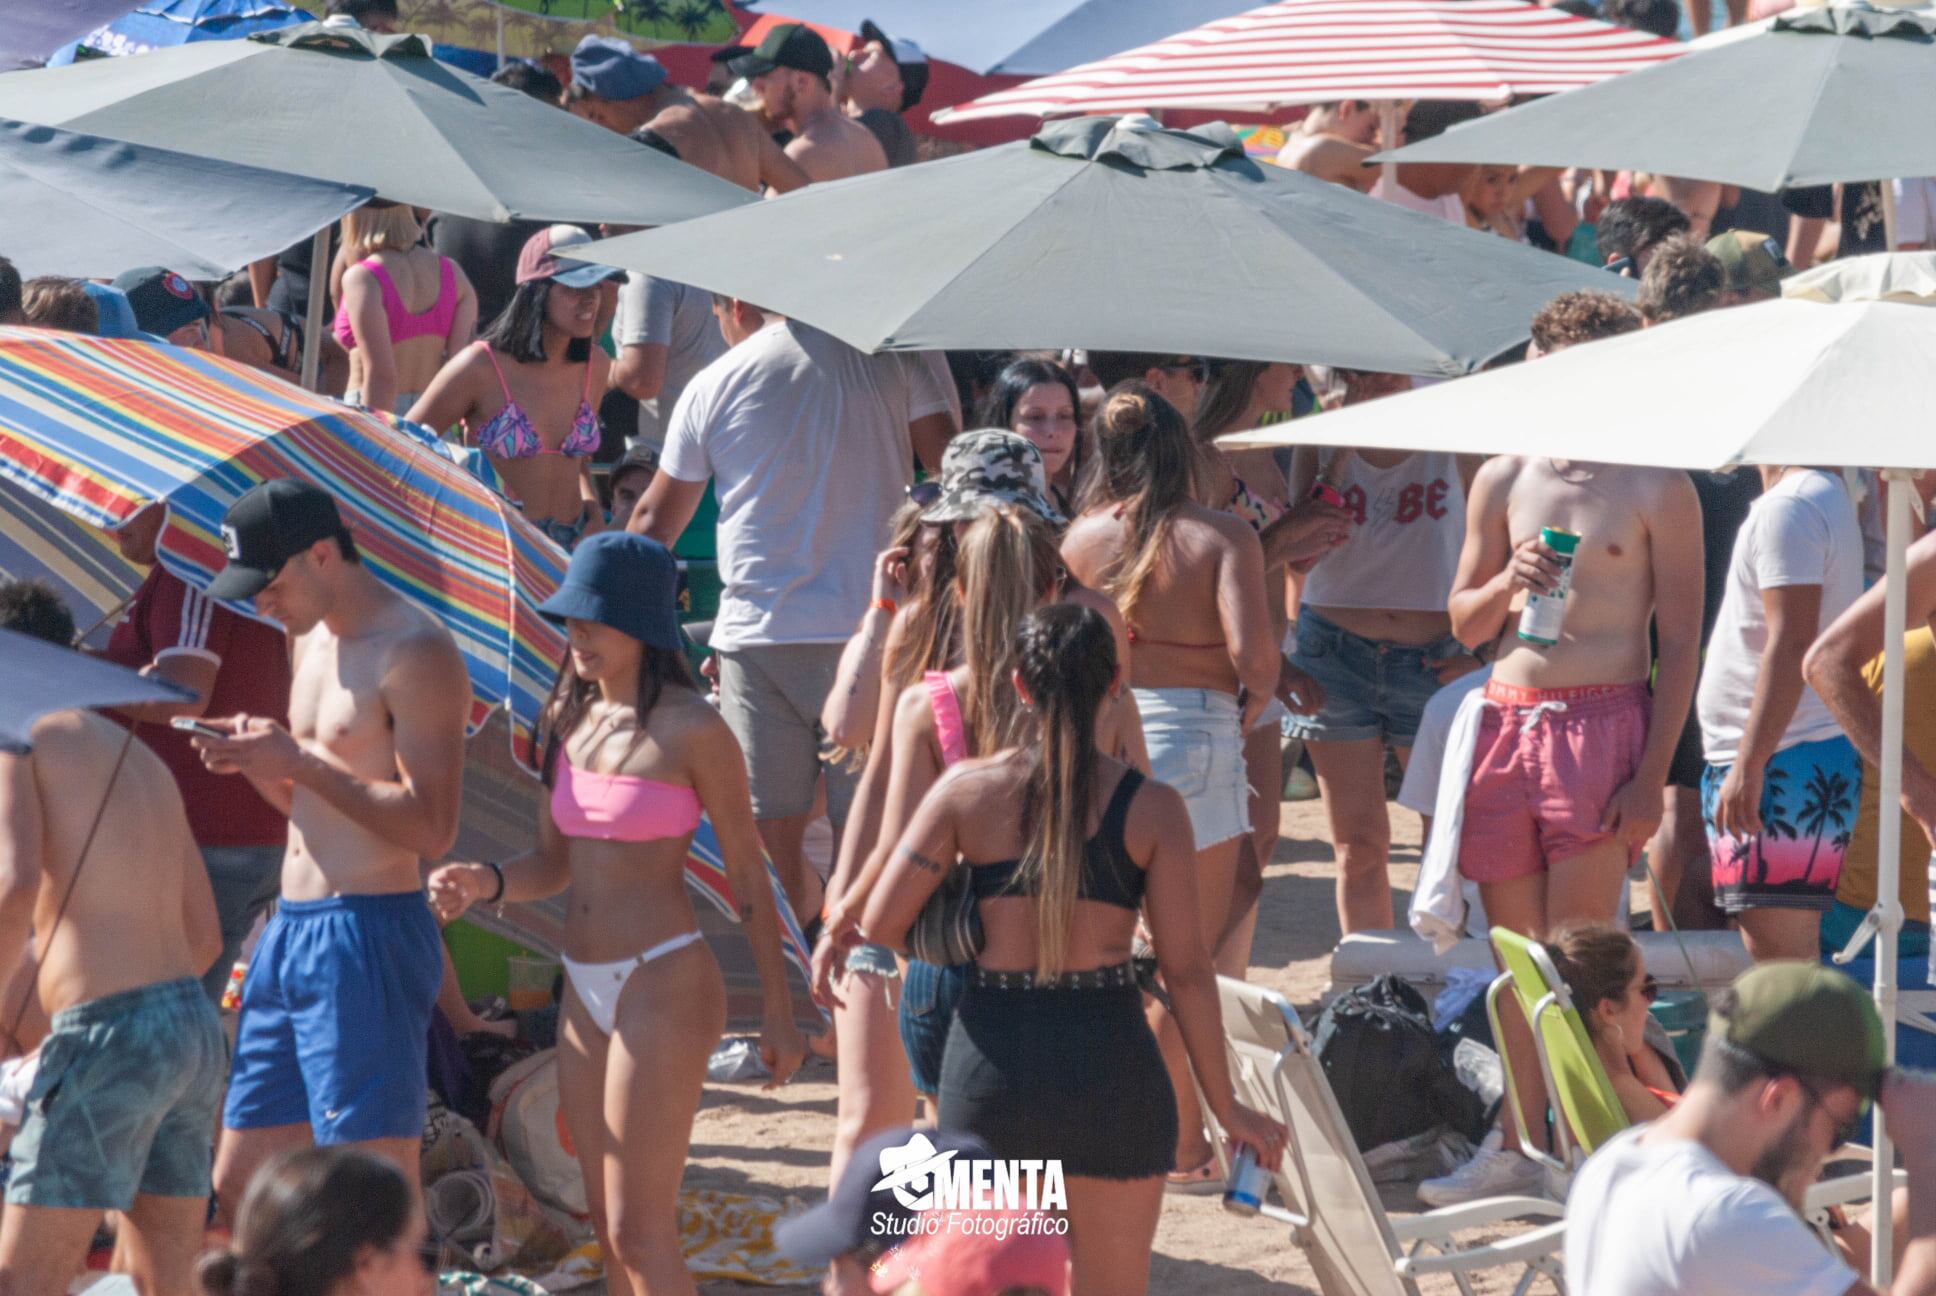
{"x": 1803, "y": 532}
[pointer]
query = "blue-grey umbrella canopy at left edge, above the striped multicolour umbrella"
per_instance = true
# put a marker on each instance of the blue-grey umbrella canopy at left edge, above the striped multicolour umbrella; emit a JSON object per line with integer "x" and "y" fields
{"x": 92, "y": 208}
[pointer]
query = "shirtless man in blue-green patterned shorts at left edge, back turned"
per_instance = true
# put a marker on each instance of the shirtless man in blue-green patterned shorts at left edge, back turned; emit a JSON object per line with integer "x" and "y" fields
{"x": 136, "y": 1051}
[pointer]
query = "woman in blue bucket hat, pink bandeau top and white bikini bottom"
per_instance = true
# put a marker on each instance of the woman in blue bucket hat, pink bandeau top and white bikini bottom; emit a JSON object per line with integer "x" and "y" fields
{"x": 632, "y": 756}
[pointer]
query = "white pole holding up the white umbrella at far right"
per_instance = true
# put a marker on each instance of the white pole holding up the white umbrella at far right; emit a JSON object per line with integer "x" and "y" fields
{"x": 1891, "y": 846}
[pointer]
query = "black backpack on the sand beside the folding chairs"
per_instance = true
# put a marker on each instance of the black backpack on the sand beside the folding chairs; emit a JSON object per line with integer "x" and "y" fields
{"x": 1385, "y": 1066}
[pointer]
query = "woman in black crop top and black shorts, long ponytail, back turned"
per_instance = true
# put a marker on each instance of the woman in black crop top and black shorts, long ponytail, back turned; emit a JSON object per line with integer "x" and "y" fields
{"x": 1050, "y": 1055}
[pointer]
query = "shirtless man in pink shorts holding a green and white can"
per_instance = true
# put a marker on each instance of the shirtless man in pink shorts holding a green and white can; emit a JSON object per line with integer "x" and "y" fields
{"x": 1571, "y": 758}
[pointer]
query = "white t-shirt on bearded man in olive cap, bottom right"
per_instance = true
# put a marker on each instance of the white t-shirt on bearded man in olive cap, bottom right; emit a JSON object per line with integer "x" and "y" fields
{"x": 1666, "y": 1216}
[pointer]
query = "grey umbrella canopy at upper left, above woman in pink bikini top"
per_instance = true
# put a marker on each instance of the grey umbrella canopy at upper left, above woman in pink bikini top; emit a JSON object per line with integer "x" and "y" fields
{"x": 355, "y": 108}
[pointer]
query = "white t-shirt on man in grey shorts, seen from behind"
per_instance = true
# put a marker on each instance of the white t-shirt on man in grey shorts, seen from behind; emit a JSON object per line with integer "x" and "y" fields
{"x": 806, "y": 443}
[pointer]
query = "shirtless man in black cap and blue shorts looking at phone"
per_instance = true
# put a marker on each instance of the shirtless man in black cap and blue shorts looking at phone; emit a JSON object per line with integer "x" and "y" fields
{"x": 336, "y": 1010}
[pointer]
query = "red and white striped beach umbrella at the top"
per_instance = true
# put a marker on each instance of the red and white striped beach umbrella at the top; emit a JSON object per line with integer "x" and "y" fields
{"x": 1321, "y": 51}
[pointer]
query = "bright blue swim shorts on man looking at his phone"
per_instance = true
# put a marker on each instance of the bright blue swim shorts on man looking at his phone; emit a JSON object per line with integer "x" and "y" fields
{"x": 336, "y": 1020}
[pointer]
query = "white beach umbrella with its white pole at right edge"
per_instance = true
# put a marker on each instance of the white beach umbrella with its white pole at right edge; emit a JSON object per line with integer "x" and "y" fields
{"x": 1832, "y": 373}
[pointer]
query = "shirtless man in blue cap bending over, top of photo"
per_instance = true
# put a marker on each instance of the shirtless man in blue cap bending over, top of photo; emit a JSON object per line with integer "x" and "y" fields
{"x": 622, "y": 90}
